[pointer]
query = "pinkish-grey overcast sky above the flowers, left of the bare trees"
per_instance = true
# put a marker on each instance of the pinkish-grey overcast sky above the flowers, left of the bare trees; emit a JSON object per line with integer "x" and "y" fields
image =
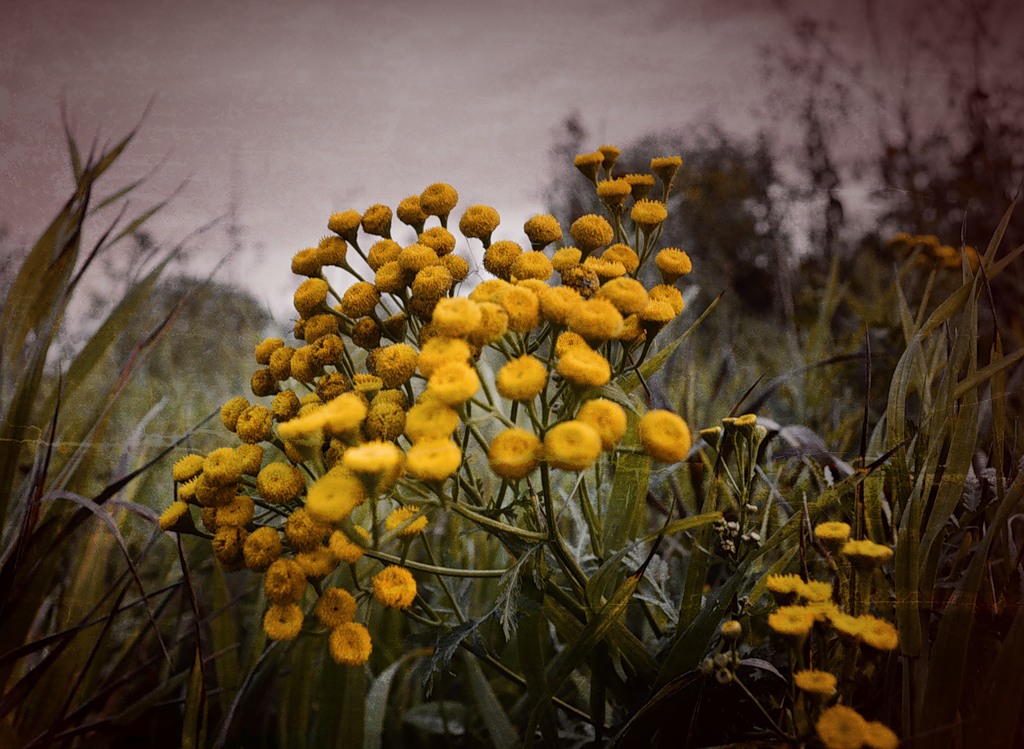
{"x": 301, "y": 109}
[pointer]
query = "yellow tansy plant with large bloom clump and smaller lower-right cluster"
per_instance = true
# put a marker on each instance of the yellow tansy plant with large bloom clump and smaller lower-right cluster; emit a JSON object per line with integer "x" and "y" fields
{"x": 405, "y": 433}
